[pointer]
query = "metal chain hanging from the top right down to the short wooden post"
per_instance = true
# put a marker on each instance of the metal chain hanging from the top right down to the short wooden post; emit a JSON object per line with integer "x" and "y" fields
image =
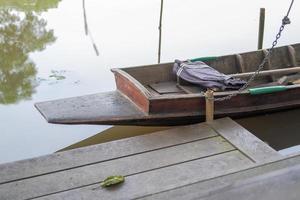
{"x": 285, "y": 21}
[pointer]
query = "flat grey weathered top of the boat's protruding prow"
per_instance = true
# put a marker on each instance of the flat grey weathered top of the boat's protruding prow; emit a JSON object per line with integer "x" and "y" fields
{"x": 104, "y": 107}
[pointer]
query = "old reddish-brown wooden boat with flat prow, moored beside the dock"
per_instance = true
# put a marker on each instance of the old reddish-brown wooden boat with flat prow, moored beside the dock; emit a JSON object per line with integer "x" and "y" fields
{"x": 150, "y": 95}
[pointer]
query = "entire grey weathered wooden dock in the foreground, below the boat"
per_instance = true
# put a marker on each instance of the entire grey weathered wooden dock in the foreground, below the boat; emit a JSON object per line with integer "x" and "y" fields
{"x": 209, "y": 161}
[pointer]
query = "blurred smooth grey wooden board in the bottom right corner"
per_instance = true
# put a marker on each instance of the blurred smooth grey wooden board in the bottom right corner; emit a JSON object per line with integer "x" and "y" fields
{"x": 283, "y": 184}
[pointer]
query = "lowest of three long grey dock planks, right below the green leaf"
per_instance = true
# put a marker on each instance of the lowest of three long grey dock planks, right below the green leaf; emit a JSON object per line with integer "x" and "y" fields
{"x": 163, "y": 179}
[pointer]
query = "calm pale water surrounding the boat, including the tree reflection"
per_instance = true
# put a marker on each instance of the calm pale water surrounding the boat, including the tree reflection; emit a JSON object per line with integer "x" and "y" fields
{"x": 46, "y": 54}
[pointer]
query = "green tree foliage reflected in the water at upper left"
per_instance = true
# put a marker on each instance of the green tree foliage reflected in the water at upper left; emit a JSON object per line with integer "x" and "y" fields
{"x": 22, "y": 31}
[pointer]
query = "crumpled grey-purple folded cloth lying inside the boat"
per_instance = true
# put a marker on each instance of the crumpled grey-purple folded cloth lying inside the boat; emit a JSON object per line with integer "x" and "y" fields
{"x": 205, "y": 76}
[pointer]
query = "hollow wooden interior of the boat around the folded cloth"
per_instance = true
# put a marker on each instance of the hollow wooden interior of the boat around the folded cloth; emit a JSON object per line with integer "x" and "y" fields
{"x": 159, "y": 80}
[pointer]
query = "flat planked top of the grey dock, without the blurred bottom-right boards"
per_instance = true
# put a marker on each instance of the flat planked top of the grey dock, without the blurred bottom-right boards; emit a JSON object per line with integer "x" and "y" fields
{"x": 152, "y": 164}
